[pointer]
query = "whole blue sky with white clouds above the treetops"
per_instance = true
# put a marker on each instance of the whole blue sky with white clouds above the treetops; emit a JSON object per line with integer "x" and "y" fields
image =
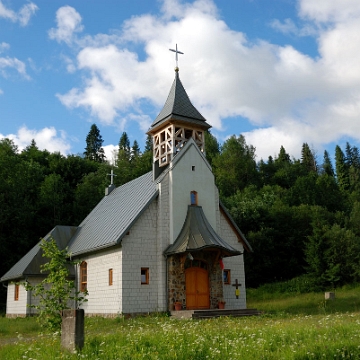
{"x": 281, "y": 72}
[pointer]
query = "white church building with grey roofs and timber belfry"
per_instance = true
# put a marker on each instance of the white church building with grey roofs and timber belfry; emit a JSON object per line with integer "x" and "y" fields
{"x": 161, "y": 239}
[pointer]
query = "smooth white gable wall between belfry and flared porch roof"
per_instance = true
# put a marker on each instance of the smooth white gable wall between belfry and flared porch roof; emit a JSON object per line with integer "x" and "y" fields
{"x": 183, "y": 180}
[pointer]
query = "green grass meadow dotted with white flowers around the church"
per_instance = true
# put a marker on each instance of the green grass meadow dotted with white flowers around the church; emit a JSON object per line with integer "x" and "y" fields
{"x": 293, "y": 326}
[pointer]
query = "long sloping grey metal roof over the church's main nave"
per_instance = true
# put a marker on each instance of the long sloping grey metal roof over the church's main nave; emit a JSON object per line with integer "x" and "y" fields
{"x": 108, "y": 223}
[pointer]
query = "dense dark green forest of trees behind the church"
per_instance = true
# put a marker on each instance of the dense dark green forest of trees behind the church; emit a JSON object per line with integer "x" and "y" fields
{"x": 301, "y": 216}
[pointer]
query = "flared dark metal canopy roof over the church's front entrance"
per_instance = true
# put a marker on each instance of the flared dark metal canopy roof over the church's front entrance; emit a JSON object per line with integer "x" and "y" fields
{"x": 198, "y": 234}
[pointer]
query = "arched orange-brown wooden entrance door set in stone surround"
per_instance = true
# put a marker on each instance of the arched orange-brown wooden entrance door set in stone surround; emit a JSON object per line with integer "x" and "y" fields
{"x": 197, "y": 288}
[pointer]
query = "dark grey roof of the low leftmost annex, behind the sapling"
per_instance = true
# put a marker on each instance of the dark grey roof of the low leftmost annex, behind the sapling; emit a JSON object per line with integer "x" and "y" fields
{"x": 29, "y": 265}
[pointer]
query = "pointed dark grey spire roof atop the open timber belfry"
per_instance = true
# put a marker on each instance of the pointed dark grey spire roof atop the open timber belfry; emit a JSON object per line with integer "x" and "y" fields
{"x": 179, "y": 104}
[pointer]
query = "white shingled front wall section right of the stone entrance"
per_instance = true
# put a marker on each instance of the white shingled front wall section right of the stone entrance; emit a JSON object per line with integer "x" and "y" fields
{"x": 236, "y": 266}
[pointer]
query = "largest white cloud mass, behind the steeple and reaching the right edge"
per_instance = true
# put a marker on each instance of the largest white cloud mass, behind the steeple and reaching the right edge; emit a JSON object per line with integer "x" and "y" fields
{"x": 289, "y": 96}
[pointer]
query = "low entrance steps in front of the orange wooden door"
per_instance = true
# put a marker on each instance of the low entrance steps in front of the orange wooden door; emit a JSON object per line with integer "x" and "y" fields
{"x": 213, "y": 313}
